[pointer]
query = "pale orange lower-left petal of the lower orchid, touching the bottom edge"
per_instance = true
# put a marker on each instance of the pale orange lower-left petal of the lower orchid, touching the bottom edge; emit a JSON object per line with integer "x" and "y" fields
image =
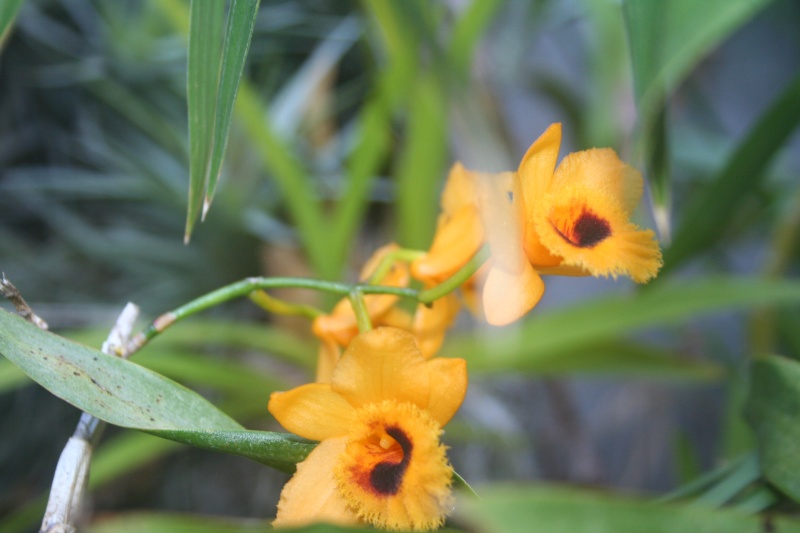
{"x": 312, "y": 495}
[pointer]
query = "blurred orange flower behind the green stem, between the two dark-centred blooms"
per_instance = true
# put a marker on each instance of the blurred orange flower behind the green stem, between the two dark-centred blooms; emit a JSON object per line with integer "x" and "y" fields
{"x": 428, "y": 324}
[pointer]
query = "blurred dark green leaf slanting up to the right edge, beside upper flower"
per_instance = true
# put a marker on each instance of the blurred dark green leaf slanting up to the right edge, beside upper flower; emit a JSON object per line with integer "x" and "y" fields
{"x": 710, "y": 212}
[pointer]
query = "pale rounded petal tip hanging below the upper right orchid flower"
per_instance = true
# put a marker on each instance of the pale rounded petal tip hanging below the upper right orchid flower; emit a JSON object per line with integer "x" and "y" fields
{"x": 507, "y": 296}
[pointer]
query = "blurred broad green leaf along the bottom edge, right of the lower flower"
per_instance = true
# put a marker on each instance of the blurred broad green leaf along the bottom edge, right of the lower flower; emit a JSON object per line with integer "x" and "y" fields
{"x": 555, "y": 510}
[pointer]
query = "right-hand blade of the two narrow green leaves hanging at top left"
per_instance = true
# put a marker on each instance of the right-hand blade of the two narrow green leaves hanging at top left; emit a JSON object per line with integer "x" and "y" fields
{"x": 241, "y": 20}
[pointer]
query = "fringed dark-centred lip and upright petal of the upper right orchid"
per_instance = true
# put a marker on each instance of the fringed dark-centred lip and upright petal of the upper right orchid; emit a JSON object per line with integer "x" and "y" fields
{"x": 578, "y": 215}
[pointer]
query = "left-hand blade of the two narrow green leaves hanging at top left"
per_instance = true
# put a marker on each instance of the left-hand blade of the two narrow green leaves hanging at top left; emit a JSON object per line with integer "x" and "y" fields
{"x": 206, "y": 20}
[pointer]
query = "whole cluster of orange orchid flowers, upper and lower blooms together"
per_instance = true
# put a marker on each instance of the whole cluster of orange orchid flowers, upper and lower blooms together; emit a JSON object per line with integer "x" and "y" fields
{"x": 381, "y": 397}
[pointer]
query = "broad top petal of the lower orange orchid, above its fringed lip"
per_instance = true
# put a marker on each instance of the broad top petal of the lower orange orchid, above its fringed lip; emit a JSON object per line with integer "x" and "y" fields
{"x": 382, "y": 364}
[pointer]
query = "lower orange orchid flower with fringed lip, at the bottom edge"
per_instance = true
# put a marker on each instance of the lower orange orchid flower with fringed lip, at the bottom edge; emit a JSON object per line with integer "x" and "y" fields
{"x": 379, "y": 420}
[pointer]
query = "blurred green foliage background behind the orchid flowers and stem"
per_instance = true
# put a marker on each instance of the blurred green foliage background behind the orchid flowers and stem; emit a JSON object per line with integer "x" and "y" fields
{"x": 348, "y": 118}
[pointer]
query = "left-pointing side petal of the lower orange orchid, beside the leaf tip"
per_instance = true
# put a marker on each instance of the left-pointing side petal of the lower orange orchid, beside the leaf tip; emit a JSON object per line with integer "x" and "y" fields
{"x": 312, "y": 411}
